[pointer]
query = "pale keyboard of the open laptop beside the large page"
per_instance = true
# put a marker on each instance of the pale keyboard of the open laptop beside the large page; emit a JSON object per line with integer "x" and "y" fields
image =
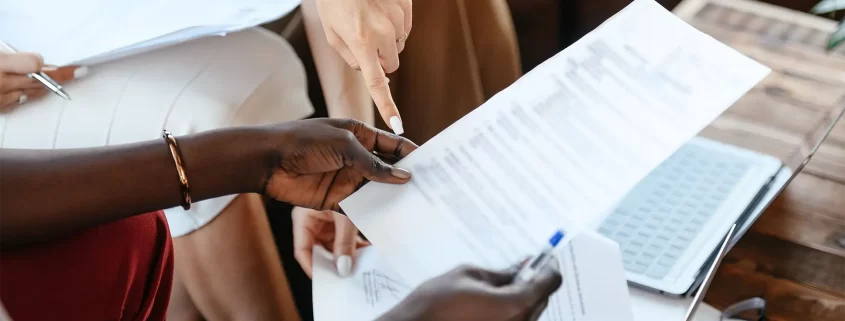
{"x": 656, "y": 222}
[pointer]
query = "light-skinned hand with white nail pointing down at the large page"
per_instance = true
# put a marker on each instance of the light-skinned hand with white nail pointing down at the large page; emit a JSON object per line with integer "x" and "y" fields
{"x": 369, "y": 35}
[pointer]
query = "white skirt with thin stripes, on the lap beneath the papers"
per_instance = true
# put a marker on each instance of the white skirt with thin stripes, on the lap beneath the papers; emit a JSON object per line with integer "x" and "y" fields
{"x": 201, "y": 85}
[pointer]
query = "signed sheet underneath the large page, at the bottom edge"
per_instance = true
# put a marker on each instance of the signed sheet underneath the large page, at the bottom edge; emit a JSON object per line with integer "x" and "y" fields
{"x": 593, "y": 280}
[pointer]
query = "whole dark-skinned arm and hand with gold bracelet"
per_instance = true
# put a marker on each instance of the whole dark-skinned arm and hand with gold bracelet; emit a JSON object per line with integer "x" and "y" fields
{"x": 46, "y": 193}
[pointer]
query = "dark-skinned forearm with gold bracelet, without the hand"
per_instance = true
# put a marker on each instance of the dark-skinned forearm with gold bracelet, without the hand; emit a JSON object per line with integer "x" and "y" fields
{"x": 46, "y": 193}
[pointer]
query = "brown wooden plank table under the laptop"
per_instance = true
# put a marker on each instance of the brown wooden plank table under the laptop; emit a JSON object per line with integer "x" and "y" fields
{"x": 794, "y": 255}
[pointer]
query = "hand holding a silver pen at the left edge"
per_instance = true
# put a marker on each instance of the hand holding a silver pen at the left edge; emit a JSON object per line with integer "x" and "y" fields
{"x": 16, "y": 88}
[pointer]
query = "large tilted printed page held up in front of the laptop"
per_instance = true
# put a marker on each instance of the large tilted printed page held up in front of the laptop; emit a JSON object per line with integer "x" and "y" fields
{"x": 555, "y": 150}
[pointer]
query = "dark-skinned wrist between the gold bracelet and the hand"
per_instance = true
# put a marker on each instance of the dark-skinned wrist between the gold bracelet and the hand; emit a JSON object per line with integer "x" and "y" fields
{"x": 227, "y": 161}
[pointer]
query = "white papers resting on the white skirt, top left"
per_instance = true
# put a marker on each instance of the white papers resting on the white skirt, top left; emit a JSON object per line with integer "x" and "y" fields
{"x": 96, "y": 31}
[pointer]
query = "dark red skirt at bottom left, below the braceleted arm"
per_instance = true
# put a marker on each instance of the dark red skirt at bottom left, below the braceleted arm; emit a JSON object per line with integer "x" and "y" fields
{"x": 117, "y": 271}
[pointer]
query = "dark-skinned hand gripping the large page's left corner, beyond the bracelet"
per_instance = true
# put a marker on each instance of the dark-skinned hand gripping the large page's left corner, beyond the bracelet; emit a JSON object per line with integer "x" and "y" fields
{"x": 319, "y": 162}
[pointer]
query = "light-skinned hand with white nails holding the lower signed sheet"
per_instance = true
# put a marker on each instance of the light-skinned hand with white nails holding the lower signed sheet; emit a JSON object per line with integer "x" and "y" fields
{"x": 332, "y": 230}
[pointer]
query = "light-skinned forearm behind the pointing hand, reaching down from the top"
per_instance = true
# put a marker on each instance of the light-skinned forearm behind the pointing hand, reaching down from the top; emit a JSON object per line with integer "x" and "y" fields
{"x": 343, "y": 87}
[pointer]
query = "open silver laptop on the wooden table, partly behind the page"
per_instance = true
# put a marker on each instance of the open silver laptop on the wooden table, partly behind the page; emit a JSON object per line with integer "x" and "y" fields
{"x": 671, "y": 225}
